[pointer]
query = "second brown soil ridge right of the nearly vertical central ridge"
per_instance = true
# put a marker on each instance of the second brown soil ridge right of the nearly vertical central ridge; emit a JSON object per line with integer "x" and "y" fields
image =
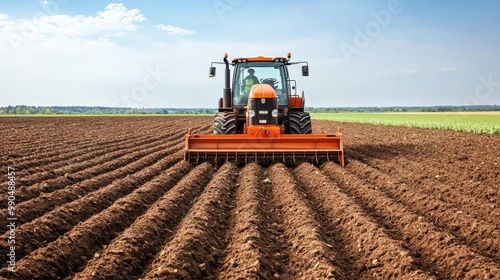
{"x": 374, "y": 254}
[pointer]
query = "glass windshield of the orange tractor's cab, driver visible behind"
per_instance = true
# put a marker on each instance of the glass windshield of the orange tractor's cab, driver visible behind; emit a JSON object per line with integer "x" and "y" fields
{"x": 250, "y": 73}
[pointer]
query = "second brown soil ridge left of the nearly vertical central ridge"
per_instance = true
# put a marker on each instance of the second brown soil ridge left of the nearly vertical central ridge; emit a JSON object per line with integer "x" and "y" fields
{"x": 127, "y": 255}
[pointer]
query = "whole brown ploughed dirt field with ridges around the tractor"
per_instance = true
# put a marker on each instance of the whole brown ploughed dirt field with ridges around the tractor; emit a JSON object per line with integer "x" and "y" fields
{"x": 111, "y": 198}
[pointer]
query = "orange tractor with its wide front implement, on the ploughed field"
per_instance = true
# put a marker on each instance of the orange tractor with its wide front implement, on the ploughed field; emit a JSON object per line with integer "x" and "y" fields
{"x": 263, "y": 119}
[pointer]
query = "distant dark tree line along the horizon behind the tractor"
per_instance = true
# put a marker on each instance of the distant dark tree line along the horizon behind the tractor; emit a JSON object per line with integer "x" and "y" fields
{"x": 89, "y": 110}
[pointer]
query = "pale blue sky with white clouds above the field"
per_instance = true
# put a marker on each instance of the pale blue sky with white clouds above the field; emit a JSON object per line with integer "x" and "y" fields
{"x": 157, "y": 53}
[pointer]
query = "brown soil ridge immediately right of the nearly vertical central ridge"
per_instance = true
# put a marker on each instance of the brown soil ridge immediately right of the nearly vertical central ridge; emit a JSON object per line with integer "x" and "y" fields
{"x": 310, "y": 253}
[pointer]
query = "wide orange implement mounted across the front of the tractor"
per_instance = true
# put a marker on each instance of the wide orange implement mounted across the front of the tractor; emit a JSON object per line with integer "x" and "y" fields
{"x": 284, "y": 147}
